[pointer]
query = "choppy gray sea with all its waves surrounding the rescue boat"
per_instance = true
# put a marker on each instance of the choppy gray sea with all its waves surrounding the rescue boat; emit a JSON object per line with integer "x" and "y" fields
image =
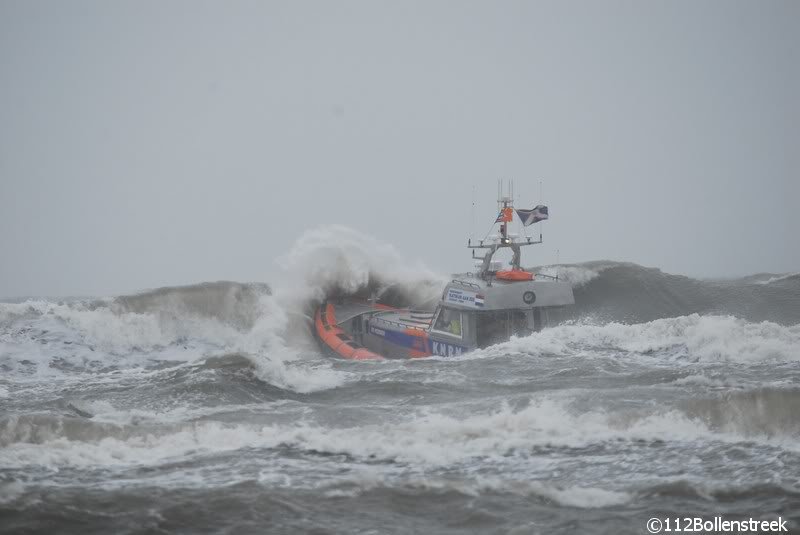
{"x": 208, "y": 409}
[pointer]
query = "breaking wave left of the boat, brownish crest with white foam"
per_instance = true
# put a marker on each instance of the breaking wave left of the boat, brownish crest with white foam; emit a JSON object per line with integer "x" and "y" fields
{"x": 185, "y": 324}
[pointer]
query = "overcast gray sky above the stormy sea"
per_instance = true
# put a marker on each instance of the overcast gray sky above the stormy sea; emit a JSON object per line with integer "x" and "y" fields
{"x": 149, "y": 143}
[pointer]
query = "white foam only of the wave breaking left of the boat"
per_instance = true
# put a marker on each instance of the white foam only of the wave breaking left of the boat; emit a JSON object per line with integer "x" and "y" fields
{"x": 169, "y": 332}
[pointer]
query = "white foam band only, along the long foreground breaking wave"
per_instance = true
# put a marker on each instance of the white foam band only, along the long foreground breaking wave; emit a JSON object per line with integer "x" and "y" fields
{"x": 433, "y": 439}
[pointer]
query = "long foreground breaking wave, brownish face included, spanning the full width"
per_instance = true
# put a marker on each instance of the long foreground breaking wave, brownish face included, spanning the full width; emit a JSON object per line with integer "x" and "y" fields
{"x": 431, "y": 439}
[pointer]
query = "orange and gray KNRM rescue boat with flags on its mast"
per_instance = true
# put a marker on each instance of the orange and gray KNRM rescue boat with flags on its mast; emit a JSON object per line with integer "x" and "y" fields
{"x": 476, "y": 310}
